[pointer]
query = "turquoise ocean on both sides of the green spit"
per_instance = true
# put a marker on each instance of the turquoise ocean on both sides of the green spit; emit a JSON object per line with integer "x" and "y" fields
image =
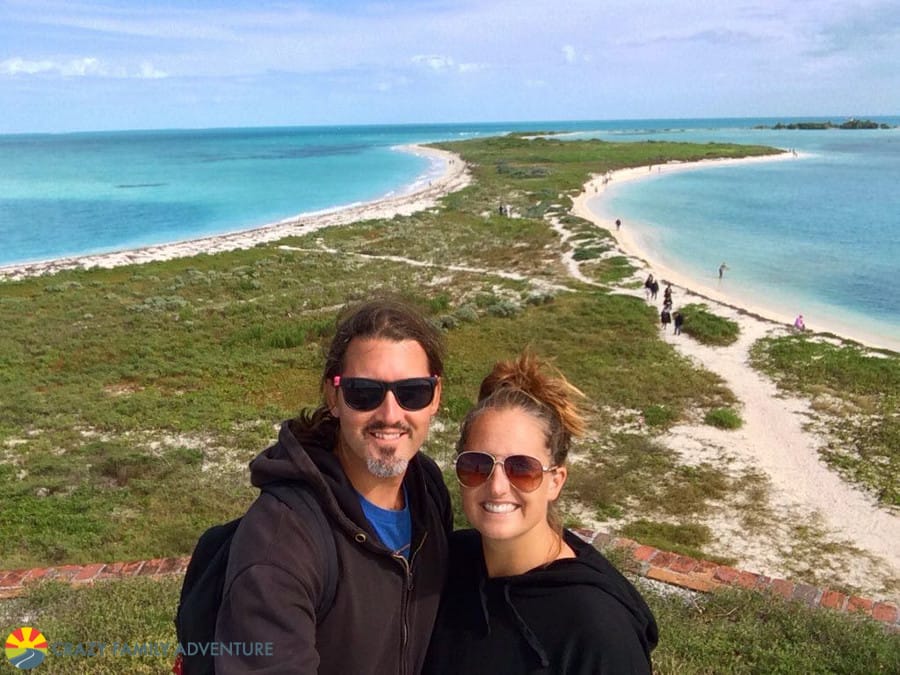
{"x": 819, "y": 234}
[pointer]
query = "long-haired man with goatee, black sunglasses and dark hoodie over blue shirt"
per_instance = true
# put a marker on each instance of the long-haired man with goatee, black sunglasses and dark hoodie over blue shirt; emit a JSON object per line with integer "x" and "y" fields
{"x": 386, "y": 502}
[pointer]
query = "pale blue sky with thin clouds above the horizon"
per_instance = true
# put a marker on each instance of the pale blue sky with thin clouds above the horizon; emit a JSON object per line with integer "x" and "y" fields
{"x": 79, "y": 65}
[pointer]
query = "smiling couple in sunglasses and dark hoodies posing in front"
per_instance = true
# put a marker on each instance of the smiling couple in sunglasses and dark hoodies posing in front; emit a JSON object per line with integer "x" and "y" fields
{"x": 516, "y": 593}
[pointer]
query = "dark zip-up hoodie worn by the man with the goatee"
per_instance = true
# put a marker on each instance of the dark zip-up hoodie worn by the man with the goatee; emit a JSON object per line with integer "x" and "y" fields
{"x": 384, "y": 607}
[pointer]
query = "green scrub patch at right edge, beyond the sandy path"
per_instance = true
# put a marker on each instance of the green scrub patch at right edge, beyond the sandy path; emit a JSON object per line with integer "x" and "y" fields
{"x": 856, "y": 396}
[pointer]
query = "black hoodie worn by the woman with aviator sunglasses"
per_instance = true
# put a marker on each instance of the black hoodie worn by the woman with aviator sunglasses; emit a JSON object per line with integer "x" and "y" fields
{"x": 575, "y": 615}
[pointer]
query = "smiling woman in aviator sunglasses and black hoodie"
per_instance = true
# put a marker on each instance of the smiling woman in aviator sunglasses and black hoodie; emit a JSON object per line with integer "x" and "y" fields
{"x": 524, "y": 595}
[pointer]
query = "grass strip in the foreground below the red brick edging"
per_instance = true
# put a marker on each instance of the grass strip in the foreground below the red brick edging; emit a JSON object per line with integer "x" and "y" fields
{"x": 727, "y": 632}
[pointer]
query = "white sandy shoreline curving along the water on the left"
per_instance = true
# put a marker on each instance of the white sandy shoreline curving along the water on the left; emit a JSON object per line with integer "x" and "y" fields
{"x": 422, "y": 194}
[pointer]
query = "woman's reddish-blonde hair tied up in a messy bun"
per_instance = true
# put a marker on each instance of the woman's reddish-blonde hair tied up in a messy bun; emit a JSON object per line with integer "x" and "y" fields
{"x": 530, "y": 384}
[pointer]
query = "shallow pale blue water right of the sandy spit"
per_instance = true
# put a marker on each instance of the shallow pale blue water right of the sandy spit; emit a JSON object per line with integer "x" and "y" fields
{"x": 819, "y": 234}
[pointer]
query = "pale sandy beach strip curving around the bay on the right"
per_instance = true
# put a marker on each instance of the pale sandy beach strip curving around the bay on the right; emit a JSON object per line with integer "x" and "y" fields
{"x": 593, "y": 205}
